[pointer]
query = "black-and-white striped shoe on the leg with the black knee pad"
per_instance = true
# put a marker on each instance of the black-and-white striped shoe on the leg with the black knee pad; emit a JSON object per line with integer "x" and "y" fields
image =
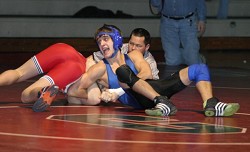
{"x": 164, "y": 107}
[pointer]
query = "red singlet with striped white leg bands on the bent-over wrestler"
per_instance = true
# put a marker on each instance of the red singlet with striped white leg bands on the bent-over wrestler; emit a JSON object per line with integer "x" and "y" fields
{"x": 61, "y": 63}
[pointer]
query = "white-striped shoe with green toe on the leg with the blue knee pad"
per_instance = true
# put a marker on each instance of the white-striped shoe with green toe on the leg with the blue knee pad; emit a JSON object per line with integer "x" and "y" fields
{"x": 215, "y": 108}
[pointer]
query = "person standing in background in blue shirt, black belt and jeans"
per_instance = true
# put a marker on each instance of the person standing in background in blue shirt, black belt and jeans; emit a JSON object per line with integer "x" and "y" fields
{"x": 182, "y": 21}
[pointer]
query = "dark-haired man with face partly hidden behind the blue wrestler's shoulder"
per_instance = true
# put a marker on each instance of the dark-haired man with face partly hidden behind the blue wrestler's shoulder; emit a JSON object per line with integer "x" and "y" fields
{"x": 140, "y": 40}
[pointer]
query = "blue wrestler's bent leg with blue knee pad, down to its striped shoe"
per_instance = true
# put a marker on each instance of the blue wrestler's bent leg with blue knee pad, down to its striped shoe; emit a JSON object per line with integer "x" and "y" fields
{"x": 199, "y": 74}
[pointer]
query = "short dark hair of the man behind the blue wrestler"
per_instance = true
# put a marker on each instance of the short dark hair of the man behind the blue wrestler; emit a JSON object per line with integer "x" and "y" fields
{"x": 141, "y": 32}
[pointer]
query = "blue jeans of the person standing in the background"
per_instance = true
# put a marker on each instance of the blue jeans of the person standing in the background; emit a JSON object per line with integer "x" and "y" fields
{"x": 179, "y": 41}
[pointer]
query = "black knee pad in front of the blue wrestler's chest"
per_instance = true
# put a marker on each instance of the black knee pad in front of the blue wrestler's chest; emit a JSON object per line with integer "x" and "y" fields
{"x": 126, "y": 75}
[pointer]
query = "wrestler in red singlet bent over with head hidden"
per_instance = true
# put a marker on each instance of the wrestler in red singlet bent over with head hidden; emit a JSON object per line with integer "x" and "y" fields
{"x": 60, "y": 64}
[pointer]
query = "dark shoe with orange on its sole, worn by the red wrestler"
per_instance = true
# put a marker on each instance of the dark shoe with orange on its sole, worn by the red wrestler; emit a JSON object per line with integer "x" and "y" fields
{"x": 47, "y": 95}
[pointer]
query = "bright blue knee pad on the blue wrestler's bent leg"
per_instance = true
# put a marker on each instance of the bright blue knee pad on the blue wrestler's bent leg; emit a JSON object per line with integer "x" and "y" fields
{"x": 198, "y": 72}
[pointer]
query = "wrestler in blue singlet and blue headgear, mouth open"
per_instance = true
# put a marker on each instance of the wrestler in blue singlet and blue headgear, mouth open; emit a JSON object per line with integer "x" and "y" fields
{"x": 132, "y": 70}
